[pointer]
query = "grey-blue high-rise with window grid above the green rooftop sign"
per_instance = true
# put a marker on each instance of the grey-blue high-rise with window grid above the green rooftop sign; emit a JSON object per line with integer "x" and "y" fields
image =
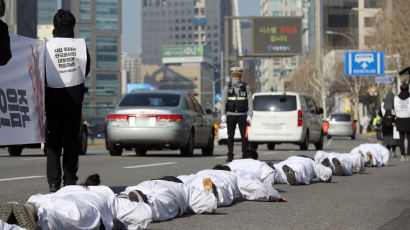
{"x": 182, "y": 22}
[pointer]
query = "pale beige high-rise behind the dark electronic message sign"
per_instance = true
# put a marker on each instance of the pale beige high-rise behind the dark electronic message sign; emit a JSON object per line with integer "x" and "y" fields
{"x": 275, "y": 71}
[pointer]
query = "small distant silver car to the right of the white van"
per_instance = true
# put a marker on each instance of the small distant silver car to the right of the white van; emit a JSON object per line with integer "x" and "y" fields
{"x": 341, "y": 124}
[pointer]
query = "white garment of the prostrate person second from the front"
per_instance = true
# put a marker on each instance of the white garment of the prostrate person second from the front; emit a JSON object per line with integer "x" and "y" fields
{"x": 171, "y": 199}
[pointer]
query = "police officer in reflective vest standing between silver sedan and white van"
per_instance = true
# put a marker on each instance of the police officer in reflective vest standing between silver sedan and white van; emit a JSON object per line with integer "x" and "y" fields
{"x": 236, "y": 109}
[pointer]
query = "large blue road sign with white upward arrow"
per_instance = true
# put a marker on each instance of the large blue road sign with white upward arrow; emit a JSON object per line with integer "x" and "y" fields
{"x": 364, "y": 63}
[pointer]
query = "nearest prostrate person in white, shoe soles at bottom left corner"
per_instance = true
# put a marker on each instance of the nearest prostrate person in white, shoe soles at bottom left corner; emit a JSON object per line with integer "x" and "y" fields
{"x": 87, "y": 206}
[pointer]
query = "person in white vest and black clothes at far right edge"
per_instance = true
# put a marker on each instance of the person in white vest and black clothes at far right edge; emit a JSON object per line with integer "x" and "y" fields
{"x": 402, "y": 109}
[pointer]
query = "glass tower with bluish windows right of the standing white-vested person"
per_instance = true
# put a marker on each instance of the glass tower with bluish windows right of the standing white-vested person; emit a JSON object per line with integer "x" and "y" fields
{"x": 99, "y": 23}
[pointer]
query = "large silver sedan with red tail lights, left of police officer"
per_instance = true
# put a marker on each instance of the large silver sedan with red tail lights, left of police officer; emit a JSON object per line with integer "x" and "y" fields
{"x": 155, "y": 120}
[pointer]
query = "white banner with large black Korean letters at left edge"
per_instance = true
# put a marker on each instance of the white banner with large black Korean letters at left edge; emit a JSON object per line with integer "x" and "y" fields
{"x": 22, "y": 116}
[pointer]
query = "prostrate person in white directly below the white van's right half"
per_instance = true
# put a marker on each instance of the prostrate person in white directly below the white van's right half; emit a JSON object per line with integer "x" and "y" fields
{"x": 301, "y": 170}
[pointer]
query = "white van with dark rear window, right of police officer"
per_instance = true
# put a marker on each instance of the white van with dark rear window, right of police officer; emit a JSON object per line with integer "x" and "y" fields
{"x": 285, "y": 117}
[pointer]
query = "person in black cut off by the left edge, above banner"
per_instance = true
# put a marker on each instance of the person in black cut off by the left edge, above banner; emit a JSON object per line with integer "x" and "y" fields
{"x": 5, "y": 53}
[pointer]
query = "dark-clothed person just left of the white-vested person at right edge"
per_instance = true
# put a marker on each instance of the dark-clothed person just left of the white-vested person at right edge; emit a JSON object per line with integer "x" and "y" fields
{"x": 386, "y": 112}
